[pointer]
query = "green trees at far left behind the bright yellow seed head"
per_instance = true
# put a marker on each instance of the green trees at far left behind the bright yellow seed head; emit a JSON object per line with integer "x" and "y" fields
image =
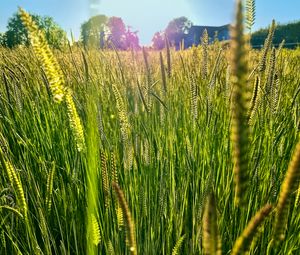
{"x": 16, "y": 33}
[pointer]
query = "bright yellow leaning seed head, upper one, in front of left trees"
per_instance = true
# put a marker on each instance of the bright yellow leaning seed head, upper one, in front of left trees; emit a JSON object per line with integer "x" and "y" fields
{"x": 45, "y": 56}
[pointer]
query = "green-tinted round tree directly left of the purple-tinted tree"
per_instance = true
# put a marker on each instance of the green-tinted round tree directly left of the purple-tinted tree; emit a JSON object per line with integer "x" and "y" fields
{"x": 92, "y": 31}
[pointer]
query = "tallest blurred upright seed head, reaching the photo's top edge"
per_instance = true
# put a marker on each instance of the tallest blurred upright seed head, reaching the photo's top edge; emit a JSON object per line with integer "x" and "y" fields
{"x": 239, "y": 107}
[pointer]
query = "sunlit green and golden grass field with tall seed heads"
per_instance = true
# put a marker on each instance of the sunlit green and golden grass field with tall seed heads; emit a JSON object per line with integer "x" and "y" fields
{"x": 142, "y": 152}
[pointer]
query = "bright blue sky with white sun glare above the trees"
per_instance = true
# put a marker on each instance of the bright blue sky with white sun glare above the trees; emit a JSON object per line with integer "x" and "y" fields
{"x": 149, "y": 16}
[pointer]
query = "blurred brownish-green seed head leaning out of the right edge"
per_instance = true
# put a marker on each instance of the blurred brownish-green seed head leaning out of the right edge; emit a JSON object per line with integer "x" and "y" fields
{"x": 288, "y": 187}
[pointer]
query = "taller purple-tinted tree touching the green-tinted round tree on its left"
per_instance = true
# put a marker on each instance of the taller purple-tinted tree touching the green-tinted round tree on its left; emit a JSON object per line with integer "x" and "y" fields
{"x": 117, "y": 33}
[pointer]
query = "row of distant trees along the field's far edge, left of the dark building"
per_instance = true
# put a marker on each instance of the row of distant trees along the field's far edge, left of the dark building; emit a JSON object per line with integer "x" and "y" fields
{"x": 99, "y": 31}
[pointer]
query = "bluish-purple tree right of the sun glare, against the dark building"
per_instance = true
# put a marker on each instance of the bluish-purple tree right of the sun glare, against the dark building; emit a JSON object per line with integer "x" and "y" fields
{"x": 177, "y": 29}
